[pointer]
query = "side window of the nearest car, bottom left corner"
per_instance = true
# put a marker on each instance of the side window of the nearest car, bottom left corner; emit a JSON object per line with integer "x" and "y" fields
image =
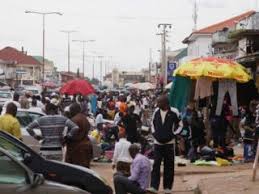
{"x": 10, "y": 171}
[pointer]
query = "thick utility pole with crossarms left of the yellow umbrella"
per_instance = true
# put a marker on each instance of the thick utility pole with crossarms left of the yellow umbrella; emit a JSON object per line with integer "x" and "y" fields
{"x": 163, "y": 51}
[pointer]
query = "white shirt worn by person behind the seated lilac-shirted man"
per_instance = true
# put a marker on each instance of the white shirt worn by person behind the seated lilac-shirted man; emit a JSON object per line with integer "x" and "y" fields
{"x": 121, "y": 151}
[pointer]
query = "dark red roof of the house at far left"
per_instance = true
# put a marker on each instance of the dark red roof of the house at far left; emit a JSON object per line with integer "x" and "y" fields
{"x": 12, "y": 54}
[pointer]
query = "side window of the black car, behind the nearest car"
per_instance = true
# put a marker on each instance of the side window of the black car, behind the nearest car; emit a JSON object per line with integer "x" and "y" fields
{"x": 11, "y": 148}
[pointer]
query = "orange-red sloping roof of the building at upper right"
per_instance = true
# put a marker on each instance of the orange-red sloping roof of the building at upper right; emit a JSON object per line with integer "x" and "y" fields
{"x": 219, "y": 26}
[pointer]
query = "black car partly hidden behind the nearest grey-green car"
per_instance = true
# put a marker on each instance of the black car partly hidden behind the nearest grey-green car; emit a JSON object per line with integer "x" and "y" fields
{"x": 56, "y": 171}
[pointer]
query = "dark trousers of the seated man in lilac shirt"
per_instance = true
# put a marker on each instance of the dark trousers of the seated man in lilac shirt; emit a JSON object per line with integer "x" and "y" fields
{"x": 123, "y": 185}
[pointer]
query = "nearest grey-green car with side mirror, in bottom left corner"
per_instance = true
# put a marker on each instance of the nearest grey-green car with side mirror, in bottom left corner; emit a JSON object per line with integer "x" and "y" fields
{"x": 15, "y": 177}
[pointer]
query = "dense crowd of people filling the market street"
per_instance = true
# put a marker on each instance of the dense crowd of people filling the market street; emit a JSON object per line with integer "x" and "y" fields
{"x": 142, "y": 126}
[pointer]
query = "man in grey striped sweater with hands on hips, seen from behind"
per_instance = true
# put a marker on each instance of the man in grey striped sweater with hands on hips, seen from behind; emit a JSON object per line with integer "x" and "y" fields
{"x": 52, "y": 127}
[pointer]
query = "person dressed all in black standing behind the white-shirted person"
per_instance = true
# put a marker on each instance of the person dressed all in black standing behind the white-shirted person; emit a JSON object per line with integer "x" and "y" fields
{"x": 132, "y": 122}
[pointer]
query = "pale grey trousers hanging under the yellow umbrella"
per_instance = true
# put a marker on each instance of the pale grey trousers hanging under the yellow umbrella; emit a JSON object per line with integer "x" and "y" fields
{"x": 224, "y": 87}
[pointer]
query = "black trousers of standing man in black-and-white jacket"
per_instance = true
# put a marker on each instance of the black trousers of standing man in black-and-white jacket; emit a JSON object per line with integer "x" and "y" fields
{"x": 163, "y": 153}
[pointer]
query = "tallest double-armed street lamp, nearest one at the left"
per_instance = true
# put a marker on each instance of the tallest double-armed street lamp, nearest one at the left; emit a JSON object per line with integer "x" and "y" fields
{"x": 43, "y": 34}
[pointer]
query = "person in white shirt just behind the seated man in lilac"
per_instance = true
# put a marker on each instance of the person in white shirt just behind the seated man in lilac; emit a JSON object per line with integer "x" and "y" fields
{"x": 121, "y": 151}
